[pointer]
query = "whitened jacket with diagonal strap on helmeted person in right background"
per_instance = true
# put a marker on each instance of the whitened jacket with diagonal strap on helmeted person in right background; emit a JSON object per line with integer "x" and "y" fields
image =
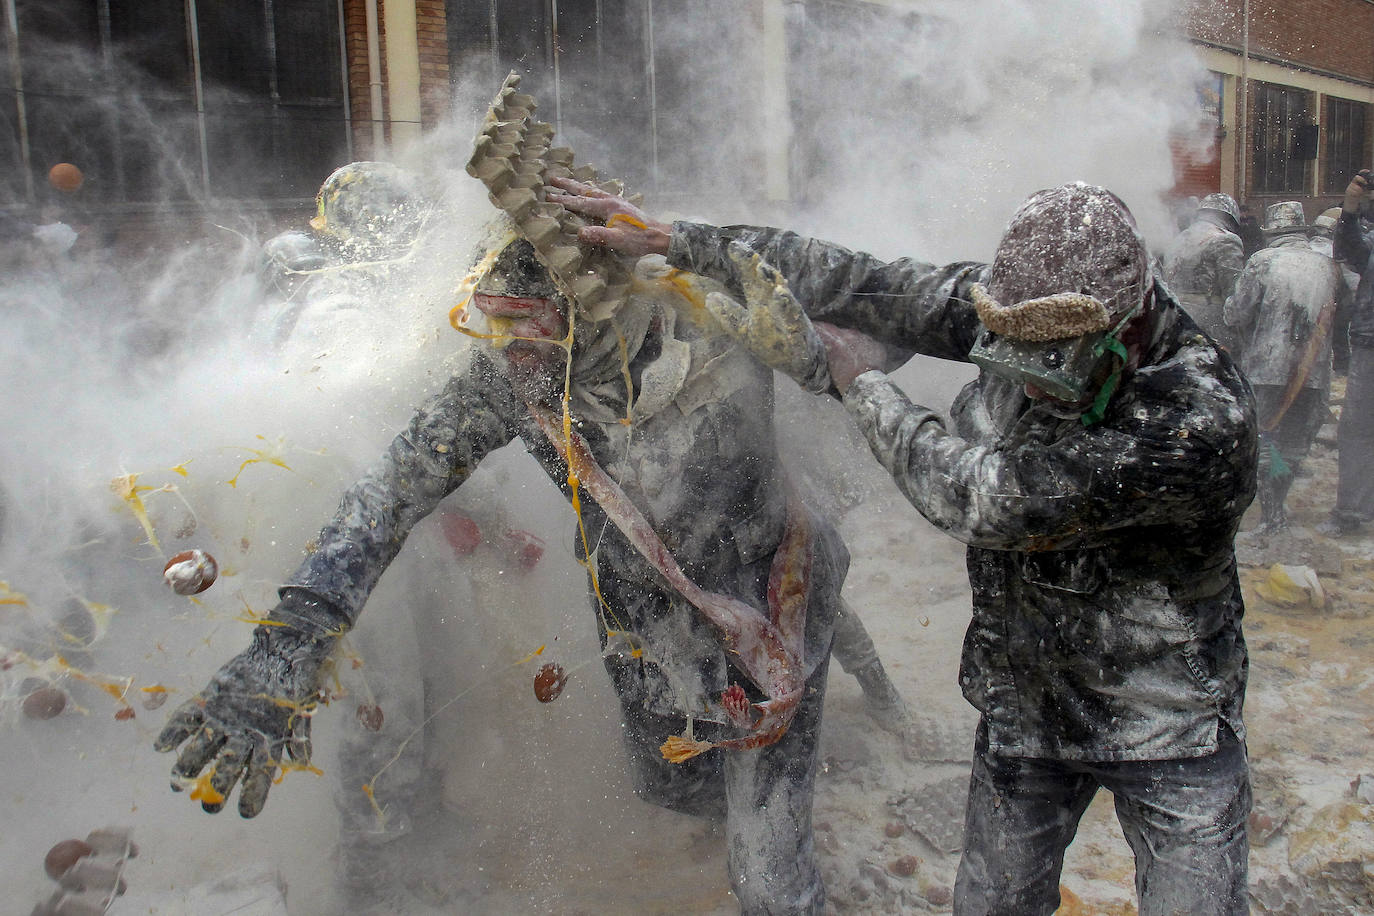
{"x": 1279, "y": 311}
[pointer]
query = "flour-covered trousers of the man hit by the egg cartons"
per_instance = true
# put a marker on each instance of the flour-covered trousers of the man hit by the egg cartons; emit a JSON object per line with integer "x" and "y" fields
{"x": 763, "y": 794}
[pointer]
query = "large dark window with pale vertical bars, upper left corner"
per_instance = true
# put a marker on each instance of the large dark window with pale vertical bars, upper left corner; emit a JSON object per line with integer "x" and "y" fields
{"x": 251, "y": 106}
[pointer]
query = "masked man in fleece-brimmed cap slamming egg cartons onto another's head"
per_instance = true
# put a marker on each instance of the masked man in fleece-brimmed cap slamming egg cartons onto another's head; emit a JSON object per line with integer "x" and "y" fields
{"x": 1105, "y": 648}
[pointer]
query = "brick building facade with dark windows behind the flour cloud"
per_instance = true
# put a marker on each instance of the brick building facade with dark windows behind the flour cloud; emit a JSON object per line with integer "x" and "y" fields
{"x": 189, "y": 104}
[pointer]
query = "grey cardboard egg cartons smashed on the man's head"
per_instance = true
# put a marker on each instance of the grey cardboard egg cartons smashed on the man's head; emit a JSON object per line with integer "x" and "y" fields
{"x": 515, "y": 157}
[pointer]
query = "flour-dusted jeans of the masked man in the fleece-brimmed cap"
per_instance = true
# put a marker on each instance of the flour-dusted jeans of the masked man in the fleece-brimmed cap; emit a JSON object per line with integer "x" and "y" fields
{"x": 1185, "y": 821}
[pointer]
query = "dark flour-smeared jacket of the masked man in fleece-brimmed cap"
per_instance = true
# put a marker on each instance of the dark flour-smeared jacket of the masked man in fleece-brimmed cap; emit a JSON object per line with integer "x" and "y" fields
{"x": 1107, "y": 608}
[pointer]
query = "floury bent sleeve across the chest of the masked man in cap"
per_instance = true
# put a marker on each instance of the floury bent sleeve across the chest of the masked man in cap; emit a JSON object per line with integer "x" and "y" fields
{"x": 1133, "y": 470}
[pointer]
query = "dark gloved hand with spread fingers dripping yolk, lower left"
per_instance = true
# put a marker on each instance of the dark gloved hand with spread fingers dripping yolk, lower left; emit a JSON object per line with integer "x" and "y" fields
{"x": 258, "y": 707}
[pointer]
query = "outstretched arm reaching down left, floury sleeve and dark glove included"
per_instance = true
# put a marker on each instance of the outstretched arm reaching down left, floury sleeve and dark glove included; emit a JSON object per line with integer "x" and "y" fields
{"x": 256, "y": 711}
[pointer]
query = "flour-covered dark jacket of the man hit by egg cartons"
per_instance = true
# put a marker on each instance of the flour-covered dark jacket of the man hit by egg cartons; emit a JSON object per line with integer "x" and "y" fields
{"x": 699, "y": 459}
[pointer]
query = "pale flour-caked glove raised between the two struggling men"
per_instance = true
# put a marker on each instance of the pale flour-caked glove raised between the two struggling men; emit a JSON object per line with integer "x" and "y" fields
{"x": 772, "y": 323}
